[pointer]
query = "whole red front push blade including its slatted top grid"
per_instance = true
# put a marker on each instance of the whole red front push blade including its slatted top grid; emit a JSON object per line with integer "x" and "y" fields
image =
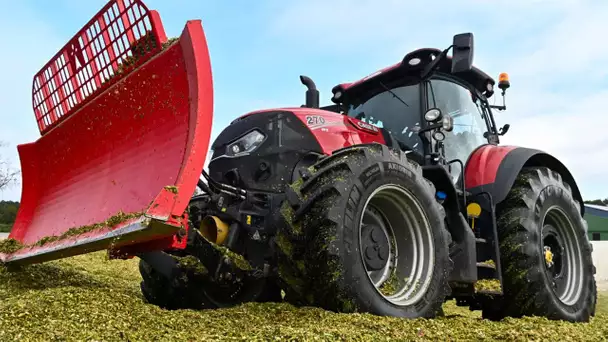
{"x": 125, "y": 120}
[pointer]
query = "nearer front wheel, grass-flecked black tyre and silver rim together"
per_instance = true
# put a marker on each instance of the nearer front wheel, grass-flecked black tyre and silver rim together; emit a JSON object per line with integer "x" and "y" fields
{"x": 332, "y": 212}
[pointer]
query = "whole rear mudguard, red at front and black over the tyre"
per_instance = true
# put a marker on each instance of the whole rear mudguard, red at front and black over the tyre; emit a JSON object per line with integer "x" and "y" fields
{"x": 493, "y": 169}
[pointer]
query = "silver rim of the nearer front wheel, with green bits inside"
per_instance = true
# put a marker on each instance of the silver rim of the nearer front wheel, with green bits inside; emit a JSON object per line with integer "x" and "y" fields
{"x": 396, "y": 245}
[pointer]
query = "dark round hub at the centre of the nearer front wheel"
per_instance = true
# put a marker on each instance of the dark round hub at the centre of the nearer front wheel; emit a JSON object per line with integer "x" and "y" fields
{"x": 374, "y": 240}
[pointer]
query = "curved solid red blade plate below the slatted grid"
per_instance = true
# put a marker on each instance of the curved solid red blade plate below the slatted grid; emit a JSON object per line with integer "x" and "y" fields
{"x": 149, "y": 130}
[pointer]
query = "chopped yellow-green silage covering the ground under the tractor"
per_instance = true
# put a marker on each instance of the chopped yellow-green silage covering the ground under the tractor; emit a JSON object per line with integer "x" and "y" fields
{"x": 90, "y": 298}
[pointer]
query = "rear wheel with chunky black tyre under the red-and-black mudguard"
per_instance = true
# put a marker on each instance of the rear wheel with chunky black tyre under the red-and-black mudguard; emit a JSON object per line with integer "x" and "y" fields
{"x": 540, "y": 211}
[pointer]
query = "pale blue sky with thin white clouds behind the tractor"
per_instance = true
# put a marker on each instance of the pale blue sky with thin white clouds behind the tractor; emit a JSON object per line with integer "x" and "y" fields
{"x": 551, "y": 49}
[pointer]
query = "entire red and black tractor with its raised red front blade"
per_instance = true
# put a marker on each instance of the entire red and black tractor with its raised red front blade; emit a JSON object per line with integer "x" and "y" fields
{"x": 391, "y": 201}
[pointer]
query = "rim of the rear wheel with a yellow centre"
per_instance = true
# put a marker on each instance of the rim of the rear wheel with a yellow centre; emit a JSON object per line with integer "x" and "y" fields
{"x": 562, "y": 256}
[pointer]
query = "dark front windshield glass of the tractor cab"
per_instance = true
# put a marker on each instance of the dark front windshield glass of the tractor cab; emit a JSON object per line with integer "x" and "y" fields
{"x": 385, "y": 110}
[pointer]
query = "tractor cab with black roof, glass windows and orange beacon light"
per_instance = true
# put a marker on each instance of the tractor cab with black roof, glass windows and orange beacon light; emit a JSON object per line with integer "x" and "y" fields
{"x": 434, "y": 105}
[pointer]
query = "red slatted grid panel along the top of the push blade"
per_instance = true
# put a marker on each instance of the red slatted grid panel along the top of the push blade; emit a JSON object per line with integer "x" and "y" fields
{"x": 83, "y": 67}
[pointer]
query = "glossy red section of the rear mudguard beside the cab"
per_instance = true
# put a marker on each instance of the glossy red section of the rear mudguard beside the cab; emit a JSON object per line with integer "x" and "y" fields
{"x": 482, "y": 167}
